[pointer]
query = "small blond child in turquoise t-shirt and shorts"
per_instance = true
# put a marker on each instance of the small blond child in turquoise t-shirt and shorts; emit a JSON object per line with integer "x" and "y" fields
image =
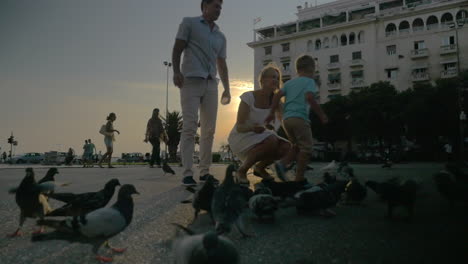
{"x": 299, "y": 95}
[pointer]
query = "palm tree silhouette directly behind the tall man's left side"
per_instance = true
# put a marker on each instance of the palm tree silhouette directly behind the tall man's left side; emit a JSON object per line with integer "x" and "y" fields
{"x": 173, "y": 126}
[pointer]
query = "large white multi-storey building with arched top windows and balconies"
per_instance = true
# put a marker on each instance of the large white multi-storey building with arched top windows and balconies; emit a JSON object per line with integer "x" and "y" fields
{"x": 357, "y": 42}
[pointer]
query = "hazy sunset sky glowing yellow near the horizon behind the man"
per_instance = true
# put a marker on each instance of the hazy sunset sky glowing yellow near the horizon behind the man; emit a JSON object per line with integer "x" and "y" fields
{"x": 65, "y": 65}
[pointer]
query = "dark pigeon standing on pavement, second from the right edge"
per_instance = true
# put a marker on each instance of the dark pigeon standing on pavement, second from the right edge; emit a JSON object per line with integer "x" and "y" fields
{"x": 396, "y": 194}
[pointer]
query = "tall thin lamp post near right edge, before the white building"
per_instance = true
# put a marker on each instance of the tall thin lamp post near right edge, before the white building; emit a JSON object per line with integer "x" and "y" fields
{"x": 459, "y": 23}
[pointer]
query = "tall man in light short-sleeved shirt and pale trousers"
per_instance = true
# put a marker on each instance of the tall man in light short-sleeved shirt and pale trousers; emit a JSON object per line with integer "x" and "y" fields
{"x": 204, "y": 47}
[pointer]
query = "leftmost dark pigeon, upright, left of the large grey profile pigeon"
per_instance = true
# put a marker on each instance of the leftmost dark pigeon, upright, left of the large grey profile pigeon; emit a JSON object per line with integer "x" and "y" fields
{"x": 31, "y": 201}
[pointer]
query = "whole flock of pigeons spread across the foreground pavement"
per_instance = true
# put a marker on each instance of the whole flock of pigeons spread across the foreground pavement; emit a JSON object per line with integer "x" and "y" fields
{"x": 86, "y": 218}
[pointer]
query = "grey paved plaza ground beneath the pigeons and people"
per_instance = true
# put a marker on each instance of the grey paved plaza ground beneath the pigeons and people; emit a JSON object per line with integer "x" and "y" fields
{"x": 358, "y": 234}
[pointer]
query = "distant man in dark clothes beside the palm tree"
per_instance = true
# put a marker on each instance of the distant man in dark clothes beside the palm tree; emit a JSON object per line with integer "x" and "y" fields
{"x": 154, "y": 130}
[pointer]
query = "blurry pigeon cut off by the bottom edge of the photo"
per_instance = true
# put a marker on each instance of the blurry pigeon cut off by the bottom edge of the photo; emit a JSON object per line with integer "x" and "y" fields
{"x": 204, "y": 248}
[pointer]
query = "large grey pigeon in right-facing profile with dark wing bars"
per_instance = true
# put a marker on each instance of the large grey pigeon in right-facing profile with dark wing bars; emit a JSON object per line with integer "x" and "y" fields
{"x": 96, "y": 227}
